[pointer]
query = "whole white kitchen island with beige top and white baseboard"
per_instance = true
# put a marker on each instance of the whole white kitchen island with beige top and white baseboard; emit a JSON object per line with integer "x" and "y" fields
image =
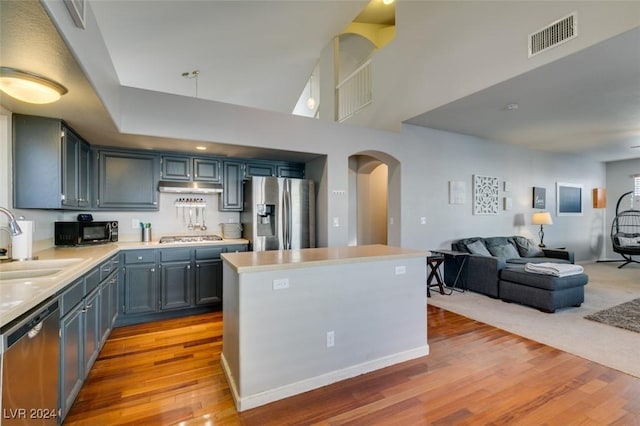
{"x": 297, "y": 320}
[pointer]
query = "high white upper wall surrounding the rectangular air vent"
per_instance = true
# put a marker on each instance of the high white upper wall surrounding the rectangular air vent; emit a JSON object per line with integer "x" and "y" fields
{"x": 456, "y": 48}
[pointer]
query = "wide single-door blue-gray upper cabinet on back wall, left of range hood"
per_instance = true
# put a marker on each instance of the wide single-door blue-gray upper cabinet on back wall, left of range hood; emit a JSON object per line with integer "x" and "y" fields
{"x": 127, "y": 180}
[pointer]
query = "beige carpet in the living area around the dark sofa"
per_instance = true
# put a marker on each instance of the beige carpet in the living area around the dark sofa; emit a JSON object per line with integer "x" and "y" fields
{"x": 566, "y": 329}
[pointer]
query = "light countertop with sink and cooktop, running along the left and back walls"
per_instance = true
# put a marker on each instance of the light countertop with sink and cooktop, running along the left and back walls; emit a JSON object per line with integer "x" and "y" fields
{"x": 20, "y": 295}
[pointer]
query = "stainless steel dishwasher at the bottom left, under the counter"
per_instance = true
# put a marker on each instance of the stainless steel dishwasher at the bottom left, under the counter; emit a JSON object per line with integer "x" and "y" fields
{"x": 30, "y": 363}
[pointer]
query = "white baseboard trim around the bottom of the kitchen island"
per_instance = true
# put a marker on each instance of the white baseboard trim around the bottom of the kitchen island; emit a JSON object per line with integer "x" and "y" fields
{"x": 251, "y": 401}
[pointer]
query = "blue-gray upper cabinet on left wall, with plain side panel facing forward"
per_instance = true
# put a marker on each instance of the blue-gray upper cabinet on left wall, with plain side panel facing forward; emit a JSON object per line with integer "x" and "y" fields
{"x": 51, "y": 165}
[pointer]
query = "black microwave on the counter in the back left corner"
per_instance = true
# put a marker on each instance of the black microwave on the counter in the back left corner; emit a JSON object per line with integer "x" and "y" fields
{"x": 85, "y": 233}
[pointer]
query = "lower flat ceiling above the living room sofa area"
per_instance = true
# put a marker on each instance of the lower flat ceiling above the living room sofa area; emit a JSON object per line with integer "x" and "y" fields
{"x": 587, "y": 102}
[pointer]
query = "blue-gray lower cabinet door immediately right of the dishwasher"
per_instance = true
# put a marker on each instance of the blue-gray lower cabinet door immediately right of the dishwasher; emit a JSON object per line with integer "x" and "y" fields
{"x": 71, "y": 357}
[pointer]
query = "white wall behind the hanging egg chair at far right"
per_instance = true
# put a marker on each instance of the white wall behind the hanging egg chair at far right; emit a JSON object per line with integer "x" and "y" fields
{"x": 619, "y": 181}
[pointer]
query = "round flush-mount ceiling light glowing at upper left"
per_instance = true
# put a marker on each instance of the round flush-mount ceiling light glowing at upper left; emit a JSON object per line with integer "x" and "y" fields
{"x": 28, "y": 87}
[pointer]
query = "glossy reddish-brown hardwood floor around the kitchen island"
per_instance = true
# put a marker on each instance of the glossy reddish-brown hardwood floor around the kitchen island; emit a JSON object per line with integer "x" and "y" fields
{"x": 169, "y": 372}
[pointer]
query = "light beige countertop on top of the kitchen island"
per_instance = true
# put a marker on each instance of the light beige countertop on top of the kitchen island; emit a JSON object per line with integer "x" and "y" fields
{"x": 282, "y": 259}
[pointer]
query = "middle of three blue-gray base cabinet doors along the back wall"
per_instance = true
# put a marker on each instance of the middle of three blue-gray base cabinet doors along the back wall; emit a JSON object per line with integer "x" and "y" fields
{"x": 176, "y": 282}
